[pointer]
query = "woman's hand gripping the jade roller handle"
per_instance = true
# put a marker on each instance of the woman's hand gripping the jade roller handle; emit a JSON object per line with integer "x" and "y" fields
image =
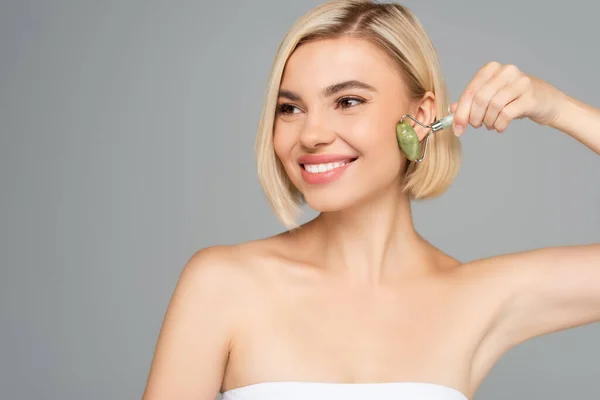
{"x": 500, "y": 93}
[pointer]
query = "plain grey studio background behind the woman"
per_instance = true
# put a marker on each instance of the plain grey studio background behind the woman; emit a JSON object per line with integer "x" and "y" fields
{"x": 127, "y": 132}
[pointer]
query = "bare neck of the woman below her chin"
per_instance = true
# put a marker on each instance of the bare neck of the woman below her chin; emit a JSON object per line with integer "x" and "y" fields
{"x": 371, "y": 242}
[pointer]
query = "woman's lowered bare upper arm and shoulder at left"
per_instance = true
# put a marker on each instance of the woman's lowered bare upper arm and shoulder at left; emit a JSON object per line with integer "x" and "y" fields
{"x": 194, "y": 340}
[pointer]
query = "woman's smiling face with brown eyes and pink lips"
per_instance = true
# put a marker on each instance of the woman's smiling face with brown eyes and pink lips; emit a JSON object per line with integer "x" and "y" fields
{"x": 340, "y": 100}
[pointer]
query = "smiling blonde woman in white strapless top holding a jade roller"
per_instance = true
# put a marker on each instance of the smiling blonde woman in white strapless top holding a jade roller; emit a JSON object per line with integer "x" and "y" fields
{"x": 355, "y": 304}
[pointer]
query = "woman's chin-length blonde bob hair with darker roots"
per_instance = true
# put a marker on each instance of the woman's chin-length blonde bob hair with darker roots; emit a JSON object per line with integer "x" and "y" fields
{"x": 393, "y": 28}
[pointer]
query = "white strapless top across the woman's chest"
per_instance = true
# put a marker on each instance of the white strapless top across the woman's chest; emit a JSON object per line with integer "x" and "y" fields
{"x": 343, "y": 391}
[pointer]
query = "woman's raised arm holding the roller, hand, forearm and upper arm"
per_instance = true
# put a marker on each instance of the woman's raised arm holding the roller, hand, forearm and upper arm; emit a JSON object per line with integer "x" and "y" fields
{"x": 544, "y": 290}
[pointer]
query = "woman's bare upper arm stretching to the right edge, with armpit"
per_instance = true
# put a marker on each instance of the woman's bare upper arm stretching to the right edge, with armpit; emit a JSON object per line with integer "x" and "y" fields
{"x": 522, "y": 295}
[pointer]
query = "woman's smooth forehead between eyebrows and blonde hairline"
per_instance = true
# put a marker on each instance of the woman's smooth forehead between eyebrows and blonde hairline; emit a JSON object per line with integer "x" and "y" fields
{"x": 323, "y": 62}
